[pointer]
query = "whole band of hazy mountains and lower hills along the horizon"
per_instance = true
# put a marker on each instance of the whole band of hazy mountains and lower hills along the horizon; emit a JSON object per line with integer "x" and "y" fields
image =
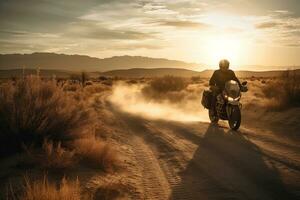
{"x": 62, "y": 65}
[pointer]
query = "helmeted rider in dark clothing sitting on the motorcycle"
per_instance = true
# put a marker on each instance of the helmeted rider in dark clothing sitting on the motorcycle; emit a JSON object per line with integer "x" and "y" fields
{"x": 220, "y": 77}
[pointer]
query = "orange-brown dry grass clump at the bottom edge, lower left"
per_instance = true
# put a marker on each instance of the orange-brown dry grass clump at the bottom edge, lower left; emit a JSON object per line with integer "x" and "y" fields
{"x": 43, "y": 189}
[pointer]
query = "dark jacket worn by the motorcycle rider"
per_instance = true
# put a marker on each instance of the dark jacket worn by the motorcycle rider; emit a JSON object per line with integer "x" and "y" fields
{"x": 219, "y": 78}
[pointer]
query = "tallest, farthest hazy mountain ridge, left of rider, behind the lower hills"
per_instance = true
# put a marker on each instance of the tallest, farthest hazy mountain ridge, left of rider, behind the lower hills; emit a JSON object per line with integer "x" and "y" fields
{"x": 86, "y": 63}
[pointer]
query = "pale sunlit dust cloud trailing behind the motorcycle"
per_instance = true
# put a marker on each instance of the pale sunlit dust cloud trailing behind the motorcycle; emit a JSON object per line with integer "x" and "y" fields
{"x": 129, "y": 98}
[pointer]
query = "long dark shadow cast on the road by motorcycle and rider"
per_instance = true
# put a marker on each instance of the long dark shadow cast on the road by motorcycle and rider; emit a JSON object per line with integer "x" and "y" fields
{"x": 228, "y": 166}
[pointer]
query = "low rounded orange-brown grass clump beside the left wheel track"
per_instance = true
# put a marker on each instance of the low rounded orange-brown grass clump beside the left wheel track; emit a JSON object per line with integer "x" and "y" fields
{"x": 96, "y": 153}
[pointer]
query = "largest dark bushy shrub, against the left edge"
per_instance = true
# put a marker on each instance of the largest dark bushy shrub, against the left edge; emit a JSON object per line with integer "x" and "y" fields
{"x": 33, "y": 110}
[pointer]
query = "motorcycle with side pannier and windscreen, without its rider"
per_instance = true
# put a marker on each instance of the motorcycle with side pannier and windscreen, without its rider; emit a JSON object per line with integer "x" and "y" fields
{"x": 227, "y": 106}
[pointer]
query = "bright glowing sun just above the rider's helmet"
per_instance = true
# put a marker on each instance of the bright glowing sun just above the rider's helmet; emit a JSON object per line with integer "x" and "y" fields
{"x": 222, "y": 47}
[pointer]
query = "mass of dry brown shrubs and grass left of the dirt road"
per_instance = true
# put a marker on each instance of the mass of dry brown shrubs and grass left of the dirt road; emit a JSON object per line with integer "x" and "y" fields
{"x": 51, "y": 124}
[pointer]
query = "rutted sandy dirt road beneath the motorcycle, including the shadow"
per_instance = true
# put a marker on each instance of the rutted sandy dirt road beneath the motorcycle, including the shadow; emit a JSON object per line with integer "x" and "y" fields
{"x": 196, "y": 160}
